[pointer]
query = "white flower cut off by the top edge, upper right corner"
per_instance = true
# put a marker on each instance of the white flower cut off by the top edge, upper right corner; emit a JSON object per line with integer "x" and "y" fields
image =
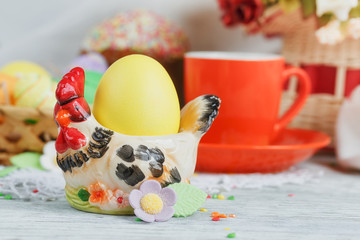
{"x": 340, "y": 8}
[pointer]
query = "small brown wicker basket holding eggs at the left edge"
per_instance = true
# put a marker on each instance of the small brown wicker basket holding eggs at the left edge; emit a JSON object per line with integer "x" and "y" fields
{"x": 24, "y": 129}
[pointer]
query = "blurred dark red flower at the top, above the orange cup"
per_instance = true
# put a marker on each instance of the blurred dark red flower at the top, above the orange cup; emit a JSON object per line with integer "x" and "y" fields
{"x": 240, "y": 11}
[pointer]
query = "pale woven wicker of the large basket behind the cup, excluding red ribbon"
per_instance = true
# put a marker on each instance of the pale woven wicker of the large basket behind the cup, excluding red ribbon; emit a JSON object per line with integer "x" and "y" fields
{"x": 301, "y": 47}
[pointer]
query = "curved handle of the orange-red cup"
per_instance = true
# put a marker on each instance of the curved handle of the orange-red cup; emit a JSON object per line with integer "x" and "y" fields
{"x": 304, "y": 91}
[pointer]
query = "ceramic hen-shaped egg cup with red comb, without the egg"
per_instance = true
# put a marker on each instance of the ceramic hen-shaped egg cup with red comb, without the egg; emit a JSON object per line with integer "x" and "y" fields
{"x": 101, "y": 167}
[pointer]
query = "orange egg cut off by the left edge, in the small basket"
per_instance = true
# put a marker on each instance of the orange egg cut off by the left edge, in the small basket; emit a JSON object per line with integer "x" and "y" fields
{"x": 7, "y": 85}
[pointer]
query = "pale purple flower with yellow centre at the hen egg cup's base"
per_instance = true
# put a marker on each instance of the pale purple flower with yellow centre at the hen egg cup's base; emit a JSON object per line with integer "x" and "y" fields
{"x": 151, "y": 203}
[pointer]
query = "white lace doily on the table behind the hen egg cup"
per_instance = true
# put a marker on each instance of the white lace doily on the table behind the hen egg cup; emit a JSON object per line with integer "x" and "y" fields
{"x": 33, "y": 184}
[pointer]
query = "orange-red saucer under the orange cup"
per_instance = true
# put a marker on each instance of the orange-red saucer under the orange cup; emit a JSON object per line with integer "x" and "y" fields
{"x": 291, "y": 147}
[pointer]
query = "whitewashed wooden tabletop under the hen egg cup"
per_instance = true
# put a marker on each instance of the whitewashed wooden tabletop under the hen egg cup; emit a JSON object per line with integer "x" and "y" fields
{"x": 328, "y": 208}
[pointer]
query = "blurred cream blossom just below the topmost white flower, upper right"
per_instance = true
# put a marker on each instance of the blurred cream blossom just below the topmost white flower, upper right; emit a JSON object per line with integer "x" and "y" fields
{"x": 330, "y": 34}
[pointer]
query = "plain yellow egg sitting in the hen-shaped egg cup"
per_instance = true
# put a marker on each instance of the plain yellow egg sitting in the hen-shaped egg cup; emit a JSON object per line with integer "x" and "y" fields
{"x": 136, "y": 96}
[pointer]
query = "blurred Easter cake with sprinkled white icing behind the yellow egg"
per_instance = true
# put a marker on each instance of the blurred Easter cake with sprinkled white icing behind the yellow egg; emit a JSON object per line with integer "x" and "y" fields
{"x": 144, "y": 32}
